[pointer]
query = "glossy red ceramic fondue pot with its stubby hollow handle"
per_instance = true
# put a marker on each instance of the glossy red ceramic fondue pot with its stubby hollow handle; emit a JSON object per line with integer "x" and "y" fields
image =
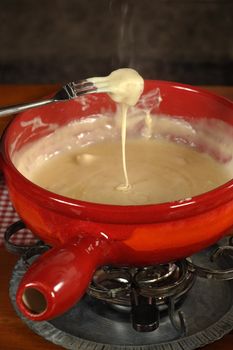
{"x": 86, "y": 235}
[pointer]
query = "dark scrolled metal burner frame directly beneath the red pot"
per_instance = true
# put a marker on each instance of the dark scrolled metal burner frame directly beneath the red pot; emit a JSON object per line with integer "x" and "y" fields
{"x": 146, "y": 291}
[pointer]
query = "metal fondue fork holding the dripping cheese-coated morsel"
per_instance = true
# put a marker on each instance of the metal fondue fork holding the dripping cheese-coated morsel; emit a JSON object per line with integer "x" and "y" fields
{"x": 68, "y": 92}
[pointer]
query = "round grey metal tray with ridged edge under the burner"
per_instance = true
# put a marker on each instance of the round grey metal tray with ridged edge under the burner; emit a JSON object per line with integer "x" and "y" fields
{"x": 208, "y": 312}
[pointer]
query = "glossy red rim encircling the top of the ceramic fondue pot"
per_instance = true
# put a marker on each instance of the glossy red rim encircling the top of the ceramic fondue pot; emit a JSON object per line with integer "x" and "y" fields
{"x": 116, "y": 213}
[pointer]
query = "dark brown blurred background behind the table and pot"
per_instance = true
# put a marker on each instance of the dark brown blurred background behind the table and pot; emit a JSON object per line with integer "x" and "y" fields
{"x": 50, "y": 41}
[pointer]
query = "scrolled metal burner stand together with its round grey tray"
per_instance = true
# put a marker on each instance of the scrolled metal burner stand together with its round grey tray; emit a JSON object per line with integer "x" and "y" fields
{"x": 189, "y": 314}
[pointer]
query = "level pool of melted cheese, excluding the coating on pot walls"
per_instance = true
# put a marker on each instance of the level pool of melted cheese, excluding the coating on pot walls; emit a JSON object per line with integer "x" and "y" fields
{"x": 159, "y": 171}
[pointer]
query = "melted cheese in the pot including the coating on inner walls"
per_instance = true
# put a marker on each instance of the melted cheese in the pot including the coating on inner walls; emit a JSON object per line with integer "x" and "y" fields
{"x": 83, "y": 159}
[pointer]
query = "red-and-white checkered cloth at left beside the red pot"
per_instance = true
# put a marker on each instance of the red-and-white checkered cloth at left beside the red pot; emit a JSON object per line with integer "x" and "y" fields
{"x": 8, "y": 216}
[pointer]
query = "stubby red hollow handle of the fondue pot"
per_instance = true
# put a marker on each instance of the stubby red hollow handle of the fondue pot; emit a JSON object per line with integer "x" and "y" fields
{"x": 60, "y": 277}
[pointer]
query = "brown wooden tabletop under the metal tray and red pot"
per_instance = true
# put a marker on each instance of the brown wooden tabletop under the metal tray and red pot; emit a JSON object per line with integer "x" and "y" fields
{"x": 14, "y": 334}
